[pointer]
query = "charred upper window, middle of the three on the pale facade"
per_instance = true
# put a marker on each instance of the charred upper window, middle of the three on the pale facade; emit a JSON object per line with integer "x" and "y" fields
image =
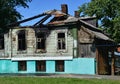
{"x": 41, "y": 41}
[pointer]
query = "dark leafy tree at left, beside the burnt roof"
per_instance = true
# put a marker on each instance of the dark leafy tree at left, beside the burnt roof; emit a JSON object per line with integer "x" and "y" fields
{"x": 8, "y": 12}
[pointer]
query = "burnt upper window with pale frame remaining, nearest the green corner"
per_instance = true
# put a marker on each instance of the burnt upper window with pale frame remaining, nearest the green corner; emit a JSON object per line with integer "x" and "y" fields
{"x": 61, "y": 41}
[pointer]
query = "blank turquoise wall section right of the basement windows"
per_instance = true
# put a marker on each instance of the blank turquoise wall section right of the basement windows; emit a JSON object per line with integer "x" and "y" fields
{"x": 80, "y": 66}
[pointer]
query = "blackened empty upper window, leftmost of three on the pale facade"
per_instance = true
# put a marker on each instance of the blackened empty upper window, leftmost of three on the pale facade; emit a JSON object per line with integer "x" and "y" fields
{"x": 21, "y": 40}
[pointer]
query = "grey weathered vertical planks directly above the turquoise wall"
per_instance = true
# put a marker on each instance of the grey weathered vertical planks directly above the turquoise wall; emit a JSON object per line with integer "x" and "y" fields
{"x": 87, "y": 50}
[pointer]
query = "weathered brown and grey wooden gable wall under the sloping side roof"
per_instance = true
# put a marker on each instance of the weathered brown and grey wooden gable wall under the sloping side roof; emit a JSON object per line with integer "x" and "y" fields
{"x": 86, "y": 46}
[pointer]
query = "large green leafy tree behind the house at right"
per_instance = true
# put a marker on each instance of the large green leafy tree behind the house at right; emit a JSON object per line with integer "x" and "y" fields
{"x": 106, "y": 11}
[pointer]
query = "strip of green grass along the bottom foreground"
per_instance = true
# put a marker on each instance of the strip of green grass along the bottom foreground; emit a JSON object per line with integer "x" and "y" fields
{"x": 41, "y": 80}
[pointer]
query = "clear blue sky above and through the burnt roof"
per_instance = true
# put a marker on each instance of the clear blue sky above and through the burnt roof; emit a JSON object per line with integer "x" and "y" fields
{"x": 39, "y": 6}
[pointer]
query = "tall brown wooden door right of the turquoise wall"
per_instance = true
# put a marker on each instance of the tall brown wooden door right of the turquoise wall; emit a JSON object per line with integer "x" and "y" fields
{"x": 103, "y": 67}
